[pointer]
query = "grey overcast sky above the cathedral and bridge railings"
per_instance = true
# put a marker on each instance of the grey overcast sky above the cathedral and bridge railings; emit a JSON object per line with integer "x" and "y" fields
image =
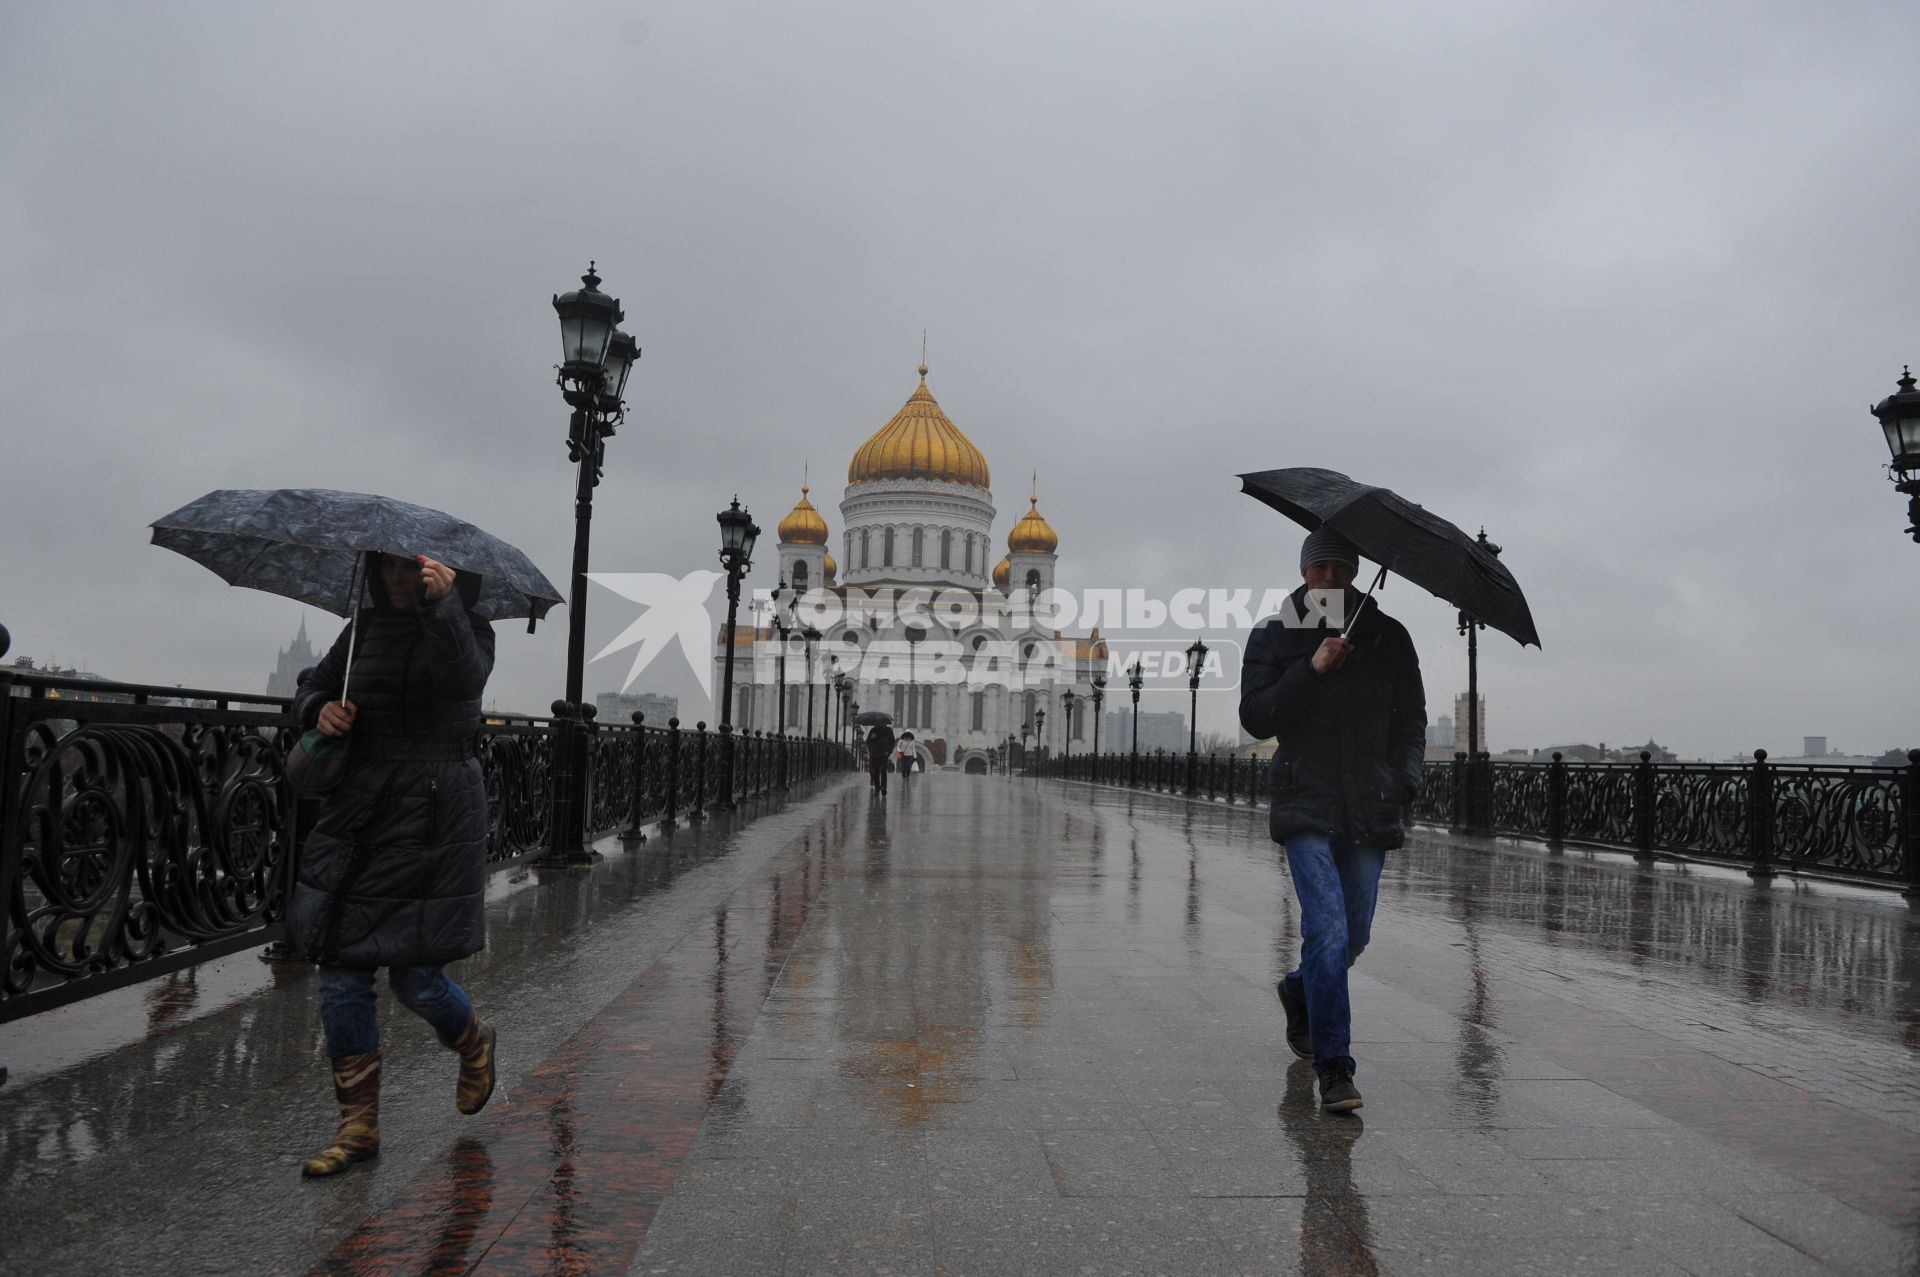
{"x": 1618, "y": 281}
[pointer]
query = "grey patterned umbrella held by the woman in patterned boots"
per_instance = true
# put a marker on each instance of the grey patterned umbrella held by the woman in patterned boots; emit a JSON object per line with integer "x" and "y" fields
{"x": 308, "y": 542}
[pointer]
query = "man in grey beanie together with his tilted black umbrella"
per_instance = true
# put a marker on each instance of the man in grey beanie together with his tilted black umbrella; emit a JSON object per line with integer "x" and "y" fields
{"x": 1339, "y": 692}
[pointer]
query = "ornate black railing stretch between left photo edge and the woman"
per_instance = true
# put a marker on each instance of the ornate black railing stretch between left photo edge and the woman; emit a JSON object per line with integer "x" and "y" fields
{"x": 141, "y": 831}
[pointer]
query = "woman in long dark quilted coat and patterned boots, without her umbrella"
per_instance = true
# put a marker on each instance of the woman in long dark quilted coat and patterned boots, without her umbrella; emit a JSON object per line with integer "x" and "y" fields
{"x": 395, "y": 871}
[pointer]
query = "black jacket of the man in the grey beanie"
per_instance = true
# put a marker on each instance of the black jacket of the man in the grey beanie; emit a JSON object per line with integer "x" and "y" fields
{"x": 1349, "y": 744}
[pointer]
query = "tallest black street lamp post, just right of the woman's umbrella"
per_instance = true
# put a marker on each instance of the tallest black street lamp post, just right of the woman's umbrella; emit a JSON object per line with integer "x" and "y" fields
{"x": 594, "y": 364}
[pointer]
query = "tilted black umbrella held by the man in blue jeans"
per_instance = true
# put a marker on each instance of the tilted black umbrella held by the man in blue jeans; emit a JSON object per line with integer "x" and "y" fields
{"x": 1403, "y": 539}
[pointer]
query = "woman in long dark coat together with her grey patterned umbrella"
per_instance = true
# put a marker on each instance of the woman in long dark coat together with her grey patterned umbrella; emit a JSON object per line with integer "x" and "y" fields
{"x": 395, "y": 869}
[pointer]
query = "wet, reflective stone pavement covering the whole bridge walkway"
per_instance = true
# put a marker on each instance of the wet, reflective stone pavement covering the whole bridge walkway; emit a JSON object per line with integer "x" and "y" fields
{"x": 1026, "y": 1026}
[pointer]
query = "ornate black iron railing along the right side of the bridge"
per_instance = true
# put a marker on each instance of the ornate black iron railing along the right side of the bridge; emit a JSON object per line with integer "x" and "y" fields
{"x": 1856, "y": 823}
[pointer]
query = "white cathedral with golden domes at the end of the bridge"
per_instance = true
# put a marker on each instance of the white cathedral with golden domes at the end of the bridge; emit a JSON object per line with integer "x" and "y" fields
{"x": 971, "y": 665}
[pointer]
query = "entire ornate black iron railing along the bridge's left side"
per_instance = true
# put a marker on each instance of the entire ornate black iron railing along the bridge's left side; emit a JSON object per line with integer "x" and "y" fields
{"x": 147, "y": 829}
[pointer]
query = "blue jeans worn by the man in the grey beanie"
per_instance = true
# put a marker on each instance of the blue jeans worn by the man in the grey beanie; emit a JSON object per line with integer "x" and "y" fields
{"x": 1337, "y": 884}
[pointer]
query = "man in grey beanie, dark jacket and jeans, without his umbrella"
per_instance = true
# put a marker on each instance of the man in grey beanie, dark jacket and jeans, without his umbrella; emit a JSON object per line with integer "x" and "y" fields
{"x": 1349, "y": 725}
